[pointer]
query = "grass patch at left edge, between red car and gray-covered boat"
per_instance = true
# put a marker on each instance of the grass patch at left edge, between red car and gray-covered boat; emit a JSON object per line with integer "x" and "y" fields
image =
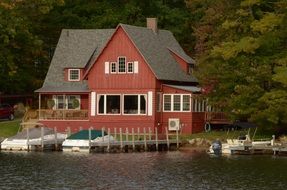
{"x": 9, "y": 128}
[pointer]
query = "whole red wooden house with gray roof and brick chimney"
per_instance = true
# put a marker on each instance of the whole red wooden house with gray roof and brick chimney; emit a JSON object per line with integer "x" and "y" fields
{"x": 126, "y": 77}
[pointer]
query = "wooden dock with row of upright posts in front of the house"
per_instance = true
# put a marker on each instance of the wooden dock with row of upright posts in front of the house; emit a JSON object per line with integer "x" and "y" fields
{"x": 131, "y": 141}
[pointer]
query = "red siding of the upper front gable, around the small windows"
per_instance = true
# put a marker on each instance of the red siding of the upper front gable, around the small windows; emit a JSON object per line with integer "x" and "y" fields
{"x": 120, "y": 45}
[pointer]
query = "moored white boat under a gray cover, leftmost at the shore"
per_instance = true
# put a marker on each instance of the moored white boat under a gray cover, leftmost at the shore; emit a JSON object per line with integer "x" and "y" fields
{"x": 35, "y": 137}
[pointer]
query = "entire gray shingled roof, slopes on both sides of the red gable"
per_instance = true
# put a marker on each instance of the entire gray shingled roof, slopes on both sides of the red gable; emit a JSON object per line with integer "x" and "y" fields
{"x": 81, "y": 48}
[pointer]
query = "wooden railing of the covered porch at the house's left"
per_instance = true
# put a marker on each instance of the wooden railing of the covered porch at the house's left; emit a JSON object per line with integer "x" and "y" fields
{"x": 62, "y": 114}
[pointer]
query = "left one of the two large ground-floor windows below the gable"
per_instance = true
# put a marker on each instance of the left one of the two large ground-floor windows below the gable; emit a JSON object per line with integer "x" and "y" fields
{"x": 109, "y": 104}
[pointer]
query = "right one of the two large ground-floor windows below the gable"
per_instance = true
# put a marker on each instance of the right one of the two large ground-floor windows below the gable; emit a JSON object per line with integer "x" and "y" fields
{"x": 135, "y": 104}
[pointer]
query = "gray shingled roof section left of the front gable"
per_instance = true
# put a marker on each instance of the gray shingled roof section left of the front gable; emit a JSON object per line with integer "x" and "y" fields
{"x": 74, "y": 50}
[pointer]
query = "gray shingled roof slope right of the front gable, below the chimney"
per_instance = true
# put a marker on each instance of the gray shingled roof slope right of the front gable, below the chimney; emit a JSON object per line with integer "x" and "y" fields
{"x": 154, "y": 49}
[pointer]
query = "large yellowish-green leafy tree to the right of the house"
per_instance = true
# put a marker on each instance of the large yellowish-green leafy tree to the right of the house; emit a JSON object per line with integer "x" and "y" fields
{"x": 243, "y": 59}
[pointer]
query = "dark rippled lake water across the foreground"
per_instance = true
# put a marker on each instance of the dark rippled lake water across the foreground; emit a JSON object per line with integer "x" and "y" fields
{"x": 150, "y": 170}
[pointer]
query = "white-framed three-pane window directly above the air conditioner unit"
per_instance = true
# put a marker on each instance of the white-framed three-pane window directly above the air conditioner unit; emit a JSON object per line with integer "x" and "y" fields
{"x": 176, "y": 102}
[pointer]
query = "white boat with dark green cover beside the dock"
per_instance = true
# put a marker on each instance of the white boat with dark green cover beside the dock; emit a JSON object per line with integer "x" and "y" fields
{"x": 80, "y": 141}
